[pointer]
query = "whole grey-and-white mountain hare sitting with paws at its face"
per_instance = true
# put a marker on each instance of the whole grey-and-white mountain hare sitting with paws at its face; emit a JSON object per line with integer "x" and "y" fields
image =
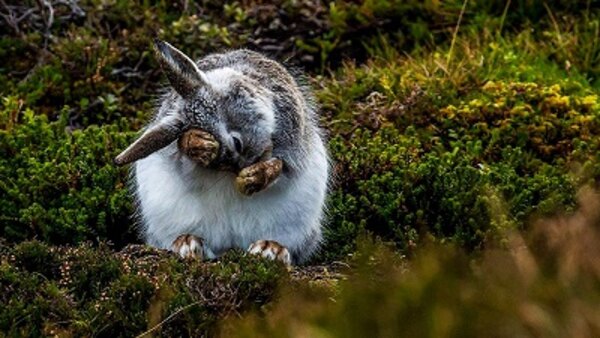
{"x": 233, "y": 159}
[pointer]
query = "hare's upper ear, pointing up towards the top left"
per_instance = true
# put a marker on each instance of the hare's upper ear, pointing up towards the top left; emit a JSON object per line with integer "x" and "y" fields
{"x": 182, "y": 72}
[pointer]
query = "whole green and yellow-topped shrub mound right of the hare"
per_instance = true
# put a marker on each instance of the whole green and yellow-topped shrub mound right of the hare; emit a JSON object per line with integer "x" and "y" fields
{"x": 416, "y": 161}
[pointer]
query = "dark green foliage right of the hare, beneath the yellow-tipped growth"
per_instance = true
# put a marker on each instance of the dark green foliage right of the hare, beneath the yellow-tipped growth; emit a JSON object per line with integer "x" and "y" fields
{"x": 389, "y": 186}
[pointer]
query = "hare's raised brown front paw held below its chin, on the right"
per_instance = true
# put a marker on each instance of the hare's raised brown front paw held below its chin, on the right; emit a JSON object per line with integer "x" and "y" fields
{"x": 259, "y": 176}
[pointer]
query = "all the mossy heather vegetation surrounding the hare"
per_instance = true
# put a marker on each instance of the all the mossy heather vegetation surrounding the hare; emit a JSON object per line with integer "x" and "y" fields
{"x": 454, "y": 125}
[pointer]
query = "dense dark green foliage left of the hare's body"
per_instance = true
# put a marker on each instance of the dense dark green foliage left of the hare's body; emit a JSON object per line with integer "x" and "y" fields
{"x": 60, "y": 185}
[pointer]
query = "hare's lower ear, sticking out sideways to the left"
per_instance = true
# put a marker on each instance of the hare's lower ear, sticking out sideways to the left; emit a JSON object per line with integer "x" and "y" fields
{"x": 153, "y": 139}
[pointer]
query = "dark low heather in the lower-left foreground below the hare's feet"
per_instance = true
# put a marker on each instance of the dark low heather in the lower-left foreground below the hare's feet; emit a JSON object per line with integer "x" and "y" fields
{"x": 85, "y": 291}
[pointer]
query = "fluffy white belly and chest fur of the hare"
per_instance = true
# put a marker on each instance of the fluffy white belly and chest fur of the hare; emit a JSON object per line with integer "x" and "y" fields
{"x": 177, "y": 197}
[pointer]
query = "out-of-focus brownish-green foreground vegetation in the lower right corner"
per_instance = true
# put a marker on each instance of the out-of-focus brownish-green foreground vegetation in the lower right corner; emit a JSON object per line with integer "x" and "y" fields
{"x": 542, "y": 284}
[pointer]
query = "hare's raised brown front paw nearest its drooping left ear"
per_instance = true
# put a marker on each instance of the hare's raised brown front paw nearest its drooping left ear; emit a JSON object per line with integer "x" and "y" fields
{"x": 200, "y": 146}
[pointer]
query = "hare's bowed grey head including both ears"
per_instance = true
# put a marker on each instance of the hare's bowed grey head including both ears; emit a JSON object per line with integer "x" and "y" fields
{"x": 232, "y": 107}
